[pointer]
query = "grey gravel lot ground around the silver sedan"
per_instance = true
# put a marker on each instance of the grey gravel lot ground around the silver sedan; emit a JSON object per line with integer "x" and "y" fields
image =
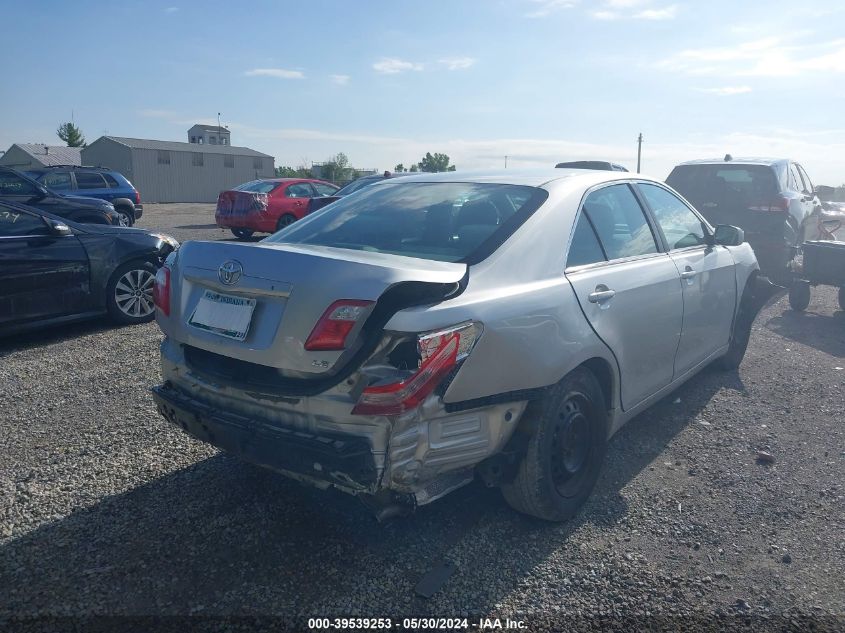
{"x": 106, "y": 509}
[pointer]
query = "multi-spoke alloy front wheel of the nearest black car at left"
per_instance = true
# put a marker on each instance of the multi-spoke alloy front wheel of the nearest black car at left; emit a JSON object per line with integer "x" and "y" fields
{"x": 129, "y": 293}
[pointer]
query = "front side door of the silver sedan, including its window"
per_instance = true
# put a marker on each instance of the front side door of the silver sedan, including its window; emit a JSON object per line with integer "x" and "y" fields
{"x": 708, "y": 277}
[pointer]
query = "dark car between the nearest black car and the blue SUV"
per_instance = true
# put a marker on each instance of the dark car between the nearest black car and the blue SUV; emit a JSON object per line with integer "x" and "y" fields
{"x": 16, "y": 187}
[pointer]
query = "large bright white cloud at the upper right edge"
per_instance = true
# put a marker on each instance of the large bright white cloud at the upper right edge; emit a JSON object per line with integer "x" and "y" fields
{"x": 765, "y": 57}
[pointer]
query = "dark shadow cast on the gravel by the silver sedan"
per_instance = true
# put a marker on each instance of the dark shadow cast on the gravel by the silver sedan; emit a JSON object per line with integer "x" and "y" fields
{"x": 221, "y": 537}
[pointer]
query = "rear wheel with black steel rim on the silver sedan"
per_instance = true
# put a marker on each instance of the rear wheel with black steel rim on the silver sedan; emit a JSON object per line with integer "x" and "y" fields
{"x": 565, "y": 451}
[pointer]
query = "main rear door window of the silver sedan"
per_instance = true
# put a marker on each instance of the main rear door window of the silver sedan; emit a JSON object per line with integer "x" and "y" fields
{"x": 619, "y": 222}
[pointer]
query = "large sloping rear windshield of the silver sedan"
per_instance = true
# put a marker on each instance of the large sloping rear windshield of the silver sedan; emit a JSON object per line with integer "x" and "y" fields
{"x": 452, "y": 222}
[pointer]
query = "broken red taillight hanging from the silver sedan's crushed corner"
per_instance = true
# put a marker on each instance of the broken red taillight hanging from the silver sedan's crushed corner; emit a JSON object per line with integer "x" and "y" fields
{"x": 440, "y": 352}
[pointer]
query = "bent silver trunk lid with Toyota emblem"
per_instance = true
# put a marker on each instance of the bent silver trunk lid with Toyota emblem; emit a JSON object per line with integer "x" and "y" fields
{"x": 291, "y": 287}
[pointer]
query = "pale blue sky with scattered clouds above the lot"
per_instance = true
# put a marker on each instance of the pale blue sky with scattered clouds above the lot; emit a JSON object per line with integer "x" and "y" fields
{"x": 384, "y": 82}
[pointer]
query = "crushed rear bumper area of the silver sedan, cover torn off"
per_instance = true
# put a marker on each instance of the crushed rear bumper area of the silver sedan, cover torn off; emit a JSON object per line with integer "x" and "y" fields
{"x": 422, "y": 454}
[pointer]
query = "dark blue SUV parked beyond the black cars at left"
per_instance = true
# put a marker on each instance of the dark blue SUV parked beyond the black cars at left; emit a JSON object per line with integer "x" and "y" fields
{"x": 93, "y": 182}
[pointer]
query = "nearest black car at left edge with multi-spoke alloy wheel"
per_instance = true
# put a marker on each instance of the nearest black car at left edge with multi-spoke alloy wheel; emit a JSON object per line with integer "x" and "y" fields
{"x": 53, "y": 270}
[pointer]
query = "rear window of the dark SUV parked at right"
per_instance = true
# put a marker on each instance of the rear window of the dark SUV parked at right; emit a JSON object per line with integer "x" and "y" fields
{"x": 711, "y": 183}
